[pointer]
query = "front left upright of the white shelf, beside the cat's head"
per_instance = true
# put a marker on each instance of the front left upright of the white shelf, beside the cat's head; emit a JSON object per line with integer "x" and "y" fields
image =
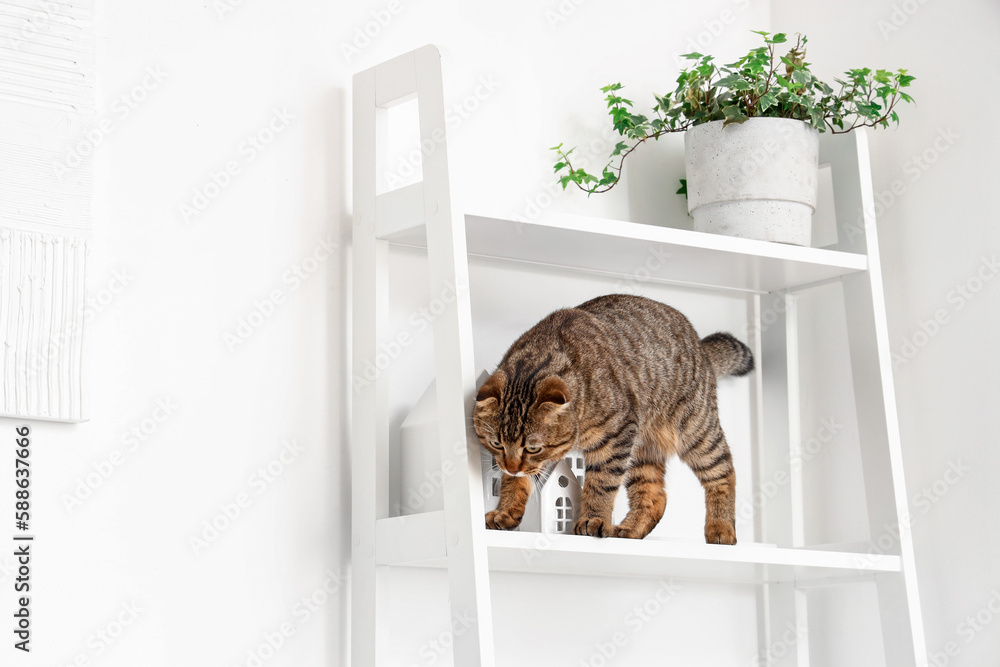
{"x": 447, "y": 258}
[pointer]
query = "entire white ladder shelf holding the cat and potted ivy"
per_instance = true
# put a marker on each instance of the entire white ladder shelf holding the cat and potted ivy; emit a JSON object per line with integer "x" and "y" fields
{"x": 456, "y": 538}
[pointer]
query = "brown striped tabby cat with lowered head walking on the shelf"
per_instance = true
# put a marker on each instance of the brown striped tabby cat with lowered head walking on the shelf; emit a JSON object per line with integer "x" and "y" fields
{"x": 628, "y": 382}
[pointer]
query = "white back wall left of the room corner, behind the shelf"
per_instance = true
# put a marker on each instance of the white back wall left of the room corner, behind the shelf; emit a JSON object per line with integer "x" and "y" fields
{"x": 162, "y": 336}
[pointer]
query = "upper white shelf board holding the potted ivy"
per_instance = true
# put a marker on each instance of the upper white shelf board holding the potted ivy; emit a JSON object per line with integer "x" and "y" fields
{"x": 669, "y": 255}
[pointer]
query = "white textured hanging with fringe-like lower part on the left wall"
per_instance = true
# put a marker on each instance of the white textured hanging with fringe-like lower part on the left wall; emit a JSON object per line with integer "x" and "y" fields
{"x": 47, "y": 105}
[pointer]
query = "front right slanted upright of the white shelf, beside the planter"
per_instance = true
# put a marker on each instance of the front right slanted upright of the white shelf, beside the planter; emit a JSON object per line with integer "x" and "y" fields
{"x": 875, "y": 398}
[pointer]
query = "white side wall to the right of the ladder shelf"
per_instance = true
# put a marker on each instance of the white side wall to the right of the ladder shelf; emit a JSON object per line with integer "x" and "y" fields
{"x": 936, "y": 231}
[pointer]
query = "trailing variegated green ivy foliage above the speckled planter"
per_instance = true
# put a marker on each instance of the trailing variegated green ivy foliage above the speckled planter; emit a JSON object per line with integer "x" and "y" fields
{"x": 762, "y": 84}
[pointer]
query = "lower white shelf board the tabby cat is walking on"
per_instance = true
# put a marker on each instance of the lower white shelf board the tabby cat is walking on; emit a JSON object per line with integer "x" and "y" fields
{"x": 418, "y": 541}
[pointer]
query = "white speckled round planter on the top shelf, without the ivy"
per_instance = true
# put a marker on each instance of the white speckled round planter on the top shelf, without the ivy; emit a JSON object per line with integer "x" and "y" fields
{"x": 756, "y": 180}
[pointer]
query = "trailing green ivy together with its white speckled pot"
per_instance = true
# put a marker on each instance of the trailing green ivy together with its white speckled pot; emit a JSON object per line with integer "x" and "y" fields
{"x": 751, "y": 136}
